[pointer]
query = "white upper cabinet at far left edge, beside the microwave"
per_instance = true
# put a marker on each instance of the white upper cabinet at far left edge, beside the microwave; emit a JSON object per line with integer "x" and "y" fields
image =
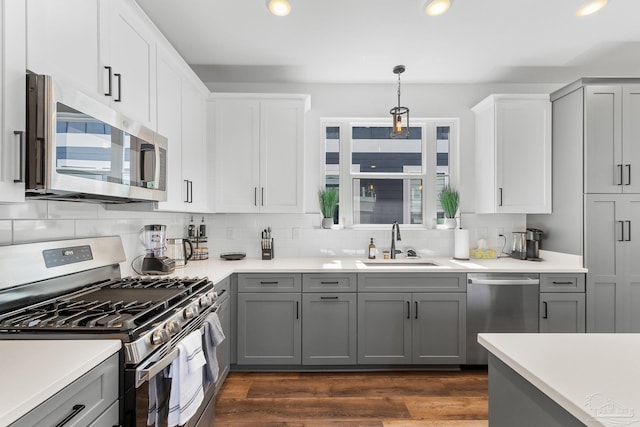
{"x": 12, "y": 99}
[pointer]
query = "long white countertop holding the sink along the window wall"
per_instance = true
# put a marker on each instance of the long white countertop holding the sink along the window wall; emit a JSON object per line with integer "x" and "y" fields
{"x": 217, "y": 269}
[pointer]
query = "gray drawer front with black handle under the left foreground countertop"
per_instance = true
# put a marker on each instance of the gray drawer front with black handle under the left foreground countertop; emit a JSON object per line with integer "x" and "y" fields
{"x": 81, "y": 402}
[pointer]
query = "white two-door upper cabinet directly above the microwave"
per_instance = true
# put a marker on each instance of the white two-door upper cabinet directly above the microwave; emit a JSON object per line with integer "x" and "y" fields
{"x": 104, "y": 48}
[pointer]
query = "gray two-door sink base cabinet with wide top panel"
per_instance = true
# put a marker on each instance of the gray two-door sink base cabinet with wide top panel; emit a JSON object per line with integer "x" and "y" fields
{"x": 408, "y": 327}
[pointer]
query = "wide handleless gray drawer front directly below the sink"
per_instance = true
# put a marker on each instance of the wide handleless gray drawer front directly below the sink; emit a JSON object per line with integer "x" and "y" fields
{"x": 412, "y": 282}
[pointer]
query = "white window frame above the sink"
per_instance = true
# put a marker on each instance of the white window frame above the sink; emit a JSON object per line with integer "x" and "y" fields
{"x": 428, "y": 175}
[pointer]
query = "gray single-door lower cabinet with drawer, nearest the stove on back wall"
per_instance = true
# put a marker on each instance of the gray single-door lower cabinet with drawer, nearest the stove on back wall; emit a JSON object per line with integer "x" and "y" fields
{"x": 269, "y": 323}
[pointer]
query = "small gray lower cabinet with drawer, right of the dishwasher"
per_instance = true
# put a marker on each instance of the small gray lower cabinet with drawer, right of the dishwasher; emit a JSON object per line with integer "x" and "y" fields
{"x": 562, "y": 303}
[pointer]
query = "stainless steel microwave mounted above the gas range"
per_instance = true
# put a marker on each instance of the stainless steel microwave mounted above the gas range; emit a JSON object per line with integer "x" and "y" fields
{"x": 80, "y": 149}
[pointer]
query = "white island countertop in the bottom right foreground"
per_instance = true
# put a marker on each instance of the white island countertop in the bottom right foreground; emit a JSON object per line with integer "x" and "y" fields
{"x": 592, "y": 376}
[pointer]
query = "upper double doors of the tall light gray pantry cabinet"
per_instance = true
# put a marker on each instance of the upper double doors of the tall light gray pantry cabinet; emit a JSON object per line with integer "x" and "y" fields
{"x": 612, "y": 132}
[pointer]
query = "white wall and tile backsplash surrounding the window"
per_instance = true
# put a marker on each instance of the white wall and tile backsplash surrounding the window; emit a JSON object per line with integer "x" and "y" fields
{"x": 295, "y": 235}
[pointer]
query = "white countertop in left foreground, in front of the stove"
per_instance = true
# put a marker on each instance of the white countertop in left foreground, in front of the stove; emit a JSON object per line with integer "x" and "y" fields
{"x": 35, "y": 370}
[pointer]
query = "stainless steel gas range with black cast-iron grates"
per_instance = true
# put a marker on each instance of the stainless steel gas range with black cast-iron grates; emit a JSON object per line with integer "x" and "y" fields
{"x": 73, "y": 290}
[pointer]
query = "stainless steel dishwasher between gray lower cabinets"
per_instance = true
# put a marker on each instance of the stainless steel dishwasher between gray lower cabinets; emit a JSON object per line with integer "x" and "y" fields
{"x": 499, "y": 302}
